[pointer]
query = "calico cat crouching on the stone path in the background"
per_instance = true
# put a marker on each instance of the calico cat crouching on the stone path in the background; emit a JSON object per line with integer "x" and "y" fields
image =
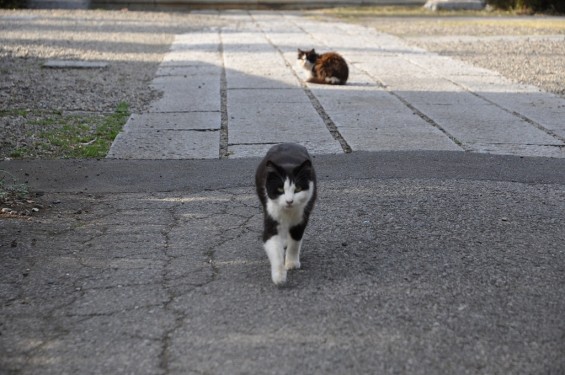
{"x": 327, "y": 68}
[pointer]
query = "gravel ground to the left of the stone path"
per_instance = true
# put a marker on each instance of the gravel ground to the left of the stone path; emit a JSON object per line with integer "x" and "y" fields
{"x": 132, "y": 43}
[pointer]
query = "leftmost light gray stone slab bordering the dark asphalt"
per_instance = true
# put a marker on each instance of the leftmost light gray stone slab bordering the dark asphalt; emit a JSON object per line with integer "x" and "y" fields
{"x": 166, "y": 144}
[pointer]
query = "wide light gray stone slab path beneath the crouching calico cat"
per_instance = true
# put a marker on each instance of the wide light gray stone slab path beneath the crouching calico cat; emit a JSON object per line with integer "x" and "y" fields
{"x": 235, "y": 91}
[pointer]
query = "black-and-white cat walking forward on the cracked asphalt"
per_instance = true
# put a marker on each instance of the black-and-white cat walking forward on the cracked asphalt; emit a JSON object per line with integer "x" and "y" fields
{"x": 286, "y": 186}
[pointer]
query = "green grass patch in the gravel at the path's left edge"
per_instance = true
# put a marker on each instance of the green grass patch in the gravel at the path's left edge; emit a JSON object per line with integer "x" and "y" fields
{"x": 75, "y": 136}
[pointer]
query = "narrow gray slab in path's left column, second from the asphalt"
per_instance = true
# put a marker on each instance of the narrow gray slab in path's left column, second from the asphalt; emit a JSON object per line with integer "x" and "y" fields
{"x": 175, "y": 121}
